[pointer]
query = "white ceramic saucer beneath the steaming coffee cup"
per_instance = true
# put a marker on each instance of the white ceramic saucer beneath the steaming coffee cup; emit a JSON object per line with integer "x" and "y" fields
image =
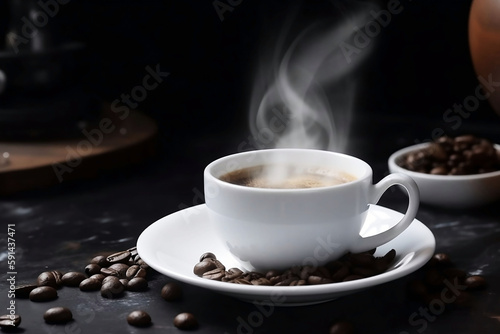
{"x": 173, "y": 245}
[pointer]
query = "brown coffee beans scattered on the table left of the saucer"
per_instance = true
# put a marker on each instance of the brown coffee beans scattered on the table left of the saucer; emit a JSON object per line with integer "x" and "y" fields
{"x": 112, "y": 275}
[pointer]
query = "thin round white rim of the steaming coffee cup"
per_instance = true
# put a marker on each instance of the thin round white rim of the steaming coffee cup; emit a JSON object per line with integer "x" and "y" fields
{"x": 208, "y": 174}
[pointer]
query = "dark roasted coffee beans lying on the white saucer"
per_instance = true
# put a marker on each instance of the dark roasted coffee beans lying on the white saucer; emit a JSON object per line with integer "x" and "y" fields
{"x": 348, "y": 268}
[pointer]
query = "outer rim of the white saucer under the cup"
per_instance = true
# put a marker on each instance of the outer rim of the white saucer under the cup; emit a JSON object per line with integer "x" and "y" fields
{"x": 263, "y": 292}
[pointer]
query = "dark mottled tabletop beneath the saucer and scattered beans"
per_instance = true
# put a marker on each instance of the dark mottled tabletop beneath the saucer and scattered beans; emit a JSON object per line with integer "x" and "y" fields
{"x": 62, "y": 228}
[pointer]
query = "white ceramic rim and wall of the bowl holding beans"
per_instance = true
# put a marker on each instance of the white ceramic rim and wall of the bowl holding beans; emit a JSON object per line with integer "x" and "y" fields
{"x": 451, "y": 191}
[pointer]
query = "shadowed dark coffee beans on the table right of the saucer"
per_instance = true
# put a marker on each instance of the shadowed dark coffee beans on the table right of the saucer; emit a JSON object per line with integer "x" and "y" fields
{"x": 440, "y": 275}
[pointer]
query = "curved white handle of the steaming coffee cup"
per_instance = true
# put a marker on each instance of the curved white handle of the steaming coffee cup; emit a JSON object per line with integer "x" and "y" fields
{"x": 376, "y": 192}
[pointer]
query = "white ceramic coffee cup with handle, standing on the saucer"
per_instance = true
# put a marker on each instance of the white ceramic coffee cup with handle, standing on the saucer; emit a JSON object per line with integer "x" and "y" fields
{"x": 268, "y": 228}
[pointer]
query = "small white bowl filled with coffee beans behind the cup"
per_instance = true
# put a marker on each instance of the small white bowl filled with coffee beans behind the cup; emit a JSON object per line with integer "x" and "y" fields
{"x": 453, "y": 172}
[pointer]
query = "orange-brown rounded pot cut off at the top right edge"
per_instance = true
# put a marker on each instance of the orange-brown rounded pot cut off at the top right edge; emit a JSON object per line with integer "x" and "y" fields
{"x": 484, "y": 40}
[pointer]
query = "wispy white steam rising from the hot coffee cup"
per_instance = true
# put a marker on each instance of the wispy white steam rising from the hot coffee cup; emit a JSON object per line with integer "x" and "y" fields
{"x": 304, "y": 92}
